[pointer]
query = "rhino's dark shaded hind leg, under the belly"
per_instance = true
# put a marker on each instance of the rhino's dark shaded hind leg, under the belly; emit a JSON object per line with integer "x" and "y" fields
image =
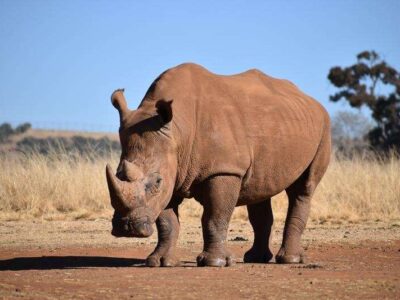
{"x": 261, "y": 219}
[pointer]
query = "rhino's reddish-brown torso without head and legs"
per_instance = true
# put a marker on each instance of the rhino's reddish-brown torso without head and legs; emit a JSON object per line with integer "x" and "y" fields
{"x": 250, "y": 124}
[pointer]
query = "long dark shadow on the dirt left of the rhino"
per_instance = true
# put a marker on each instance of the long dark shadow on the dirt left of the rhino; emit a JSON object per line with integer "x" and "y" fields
{"x": 68, "y": 262}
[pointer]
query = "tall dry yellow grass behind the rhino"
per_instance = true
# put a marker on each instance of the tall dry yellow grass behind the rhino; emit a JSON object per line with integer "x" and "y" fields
{"x": 61, "y": 187}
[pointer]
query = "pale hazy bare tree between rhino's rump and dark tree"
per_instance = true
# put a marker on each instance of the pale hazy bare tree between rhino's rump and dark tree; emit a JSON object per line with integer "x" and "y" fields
{"x": 350, "y": 132}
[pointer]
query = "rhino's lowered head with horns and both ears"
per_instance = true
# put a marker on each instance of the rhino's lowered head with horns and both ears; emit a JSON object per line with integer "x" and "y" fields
{"x": 144, "y": 181}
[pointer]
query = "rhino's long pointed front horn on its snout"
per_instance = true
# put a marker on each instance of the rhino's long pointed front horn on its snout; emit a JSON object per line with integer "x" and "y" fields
{"x": 121, "y": 192}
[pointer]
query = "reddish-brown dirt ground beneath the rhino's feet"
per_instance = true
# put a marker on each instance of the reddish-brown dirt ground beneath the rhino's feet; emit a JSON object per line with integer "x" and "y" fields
{"x": 80, "y": 259}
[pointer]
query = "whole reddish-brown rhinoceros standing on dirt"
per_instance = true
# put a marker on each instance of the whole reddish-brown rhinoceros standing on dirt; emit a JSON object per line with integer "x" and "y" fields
{"x": 225, "y": 141}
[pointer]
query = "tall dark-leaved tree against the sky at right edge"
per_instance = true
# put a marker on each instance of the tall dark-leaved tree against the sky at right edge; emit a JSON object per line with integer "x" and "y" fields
{"x": 373, "y": 83}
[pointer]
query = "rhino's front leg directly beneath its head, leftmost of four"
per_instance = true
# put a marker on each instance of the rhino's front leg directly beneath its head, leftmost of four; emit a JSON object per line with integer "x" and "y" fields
{"x": 168, "y": 232}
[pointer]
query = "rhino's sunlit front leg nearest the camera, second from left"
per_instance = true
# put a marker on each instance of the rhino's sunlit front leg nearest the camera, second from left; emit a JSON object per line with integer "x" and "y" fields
{"x": 218, "y": 197}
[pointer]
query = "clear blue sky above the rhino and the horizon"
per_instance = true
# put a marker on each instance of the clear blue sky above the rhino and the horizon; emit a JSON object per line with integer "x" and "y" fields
{"x": 60, "y": 60}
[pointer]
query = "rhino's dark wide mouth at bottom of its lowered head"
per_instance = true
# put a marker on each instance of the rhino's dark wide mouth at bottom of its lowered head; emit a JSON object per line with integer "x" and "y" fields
{"x": 127, "y": 227}
